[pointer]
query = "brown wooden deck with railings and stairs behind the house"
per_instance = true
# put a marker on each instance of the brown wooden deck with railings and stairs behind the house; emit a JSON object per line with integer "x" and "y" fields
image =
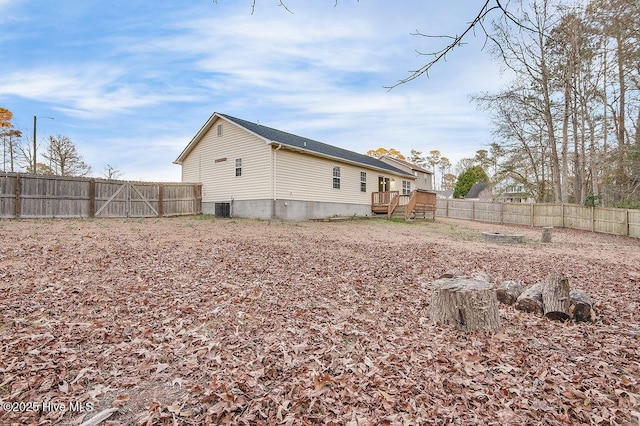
{"x": 419, "y": 204}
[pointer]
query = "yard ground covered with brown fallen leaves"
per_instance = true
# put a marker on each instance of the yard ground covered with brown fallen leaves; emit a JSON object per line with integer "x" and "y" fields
{"x": 202, "y": 321}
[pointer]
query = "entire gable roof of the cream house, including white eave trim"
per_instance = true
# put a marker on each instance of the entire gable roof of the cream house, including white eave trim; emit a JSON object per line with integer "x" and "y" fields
{"x": 298, "y": 143}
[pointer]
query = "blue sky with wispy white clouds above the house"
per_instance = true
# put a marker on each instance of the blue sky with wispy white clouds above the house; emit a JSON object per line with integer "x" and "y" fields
{"x": 131, "y": 82}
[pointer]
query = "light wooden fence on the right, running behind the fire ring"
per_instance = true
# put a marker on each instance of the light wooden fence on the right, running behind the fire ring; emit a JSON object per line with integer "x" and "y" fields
{"x": 596, "y": 219}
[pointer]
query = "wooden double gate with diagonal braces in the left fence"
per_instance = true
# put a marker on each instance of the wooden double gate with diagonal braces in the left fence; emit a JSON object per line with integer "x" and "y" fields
{"x": 127, "y": 199}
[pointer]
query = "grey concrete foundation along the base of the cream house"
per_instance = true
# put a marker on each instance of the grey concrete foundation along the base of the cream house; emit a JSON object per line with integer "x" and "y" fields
{"x": 293, "y": 210}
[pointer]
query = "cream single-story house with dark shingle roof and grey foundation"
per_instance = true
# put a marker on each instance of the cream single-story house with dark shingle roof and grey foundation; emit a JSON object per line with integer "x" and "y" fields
{"x": 250, "y": 170}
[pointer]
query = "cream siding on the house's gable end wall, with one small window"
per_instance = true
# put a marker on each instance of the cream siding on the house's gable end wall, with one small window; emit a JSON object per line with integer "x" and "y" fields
{"x": 219, "y": 181}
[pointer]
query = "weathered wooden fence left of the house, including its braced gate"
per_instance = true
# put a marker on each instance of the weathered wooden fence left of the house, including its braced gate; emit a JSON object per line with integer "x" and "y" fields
{"x": 35, "y": 196}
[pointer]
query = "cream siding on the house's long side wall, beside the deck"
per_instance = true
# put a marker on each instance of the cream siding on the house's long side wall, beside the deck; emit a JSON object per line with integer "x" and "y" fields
{"x": 307, "y": 178}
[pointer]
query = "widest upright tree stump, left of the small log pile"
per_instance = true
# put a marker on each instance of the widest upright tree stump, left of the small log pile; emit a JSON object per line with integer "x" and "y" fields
{"x": 467, "y": 303}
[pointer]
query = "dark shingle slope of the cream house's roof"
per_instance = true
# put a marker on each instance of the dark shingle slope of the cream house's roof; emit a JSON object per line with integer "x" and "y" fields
{"x": 311, "y": 145}
